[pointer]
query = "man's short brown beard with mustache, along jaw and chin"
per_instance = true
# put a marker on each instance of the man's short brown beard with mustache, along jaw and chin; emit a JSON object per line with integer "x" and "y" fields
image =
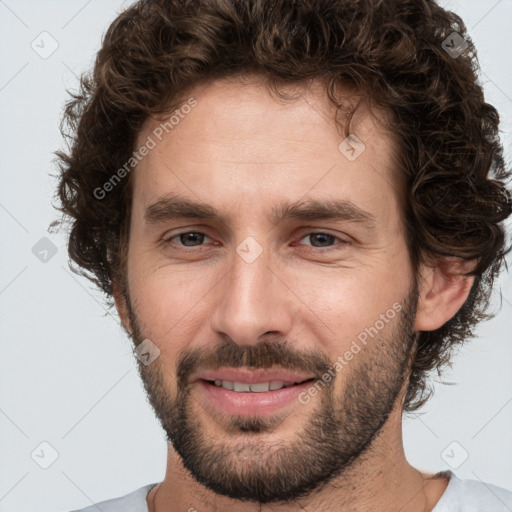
{"x": 338, "y": 433}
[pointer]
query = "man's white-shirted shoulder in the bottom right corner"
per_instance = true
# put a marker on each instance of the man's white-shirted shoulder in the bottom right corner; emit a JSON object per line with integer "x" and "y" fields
{"x": 473, "y": 496}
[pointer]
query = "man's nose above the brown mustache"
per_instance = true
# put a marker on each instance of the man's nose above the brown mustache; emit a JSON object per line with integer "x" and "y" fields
{"x": 252, "y": 300}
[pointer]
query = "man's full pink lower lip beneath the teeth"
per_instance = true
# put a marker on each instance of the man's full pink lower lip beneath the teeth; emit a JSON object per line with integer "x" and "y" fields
{"x": 248, "y": 403}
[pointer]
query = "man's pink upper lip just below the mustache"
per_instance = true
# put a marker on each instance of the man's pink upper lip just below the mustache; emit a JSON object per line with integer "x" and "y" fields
{"x": 250, "y": 376}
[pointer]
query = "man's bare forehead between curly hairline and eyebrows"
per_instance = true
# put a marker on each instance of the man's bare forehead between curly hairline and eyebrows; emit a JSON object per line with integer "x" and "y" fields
{"x": 239, "y": 140}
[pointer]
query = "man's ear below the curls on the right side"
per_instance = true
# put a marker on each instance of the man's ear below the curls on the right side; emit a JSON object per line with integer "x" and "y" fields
{"x": 443, "y": 291}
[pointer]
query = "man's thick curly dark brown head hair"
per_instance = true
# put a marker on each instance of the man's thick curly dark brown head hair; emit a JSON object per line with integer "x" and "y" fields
{"x": 392, "y": 52}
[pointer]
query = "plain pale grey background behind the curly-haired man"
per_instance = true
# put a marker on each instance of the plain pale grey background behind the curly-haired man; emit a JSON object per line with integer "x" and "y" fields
{"x": 67, "y": 373}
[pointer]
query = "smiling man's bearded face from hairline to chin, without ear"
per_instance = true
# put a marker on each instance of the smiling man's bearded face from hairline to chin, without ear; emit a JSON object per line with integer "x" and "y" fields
{"x": 295, "y": 297}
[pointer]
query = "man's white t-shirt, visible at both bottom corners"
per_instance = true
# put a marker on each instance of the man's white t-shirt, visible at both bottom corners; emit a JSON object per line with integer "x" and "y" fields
{"x": 459, "y": 496}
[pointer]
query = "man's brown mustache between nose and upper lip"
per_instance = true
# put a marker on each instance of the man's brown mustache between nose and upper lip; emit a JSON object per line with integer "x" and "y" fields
{"x": 264, "y": 355}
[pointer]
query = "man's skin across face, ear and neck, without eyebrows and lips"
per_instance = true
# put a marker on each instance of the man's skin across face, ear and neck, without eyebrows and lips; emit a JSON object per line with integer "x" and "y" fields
{"x": 244, "y": 152}
